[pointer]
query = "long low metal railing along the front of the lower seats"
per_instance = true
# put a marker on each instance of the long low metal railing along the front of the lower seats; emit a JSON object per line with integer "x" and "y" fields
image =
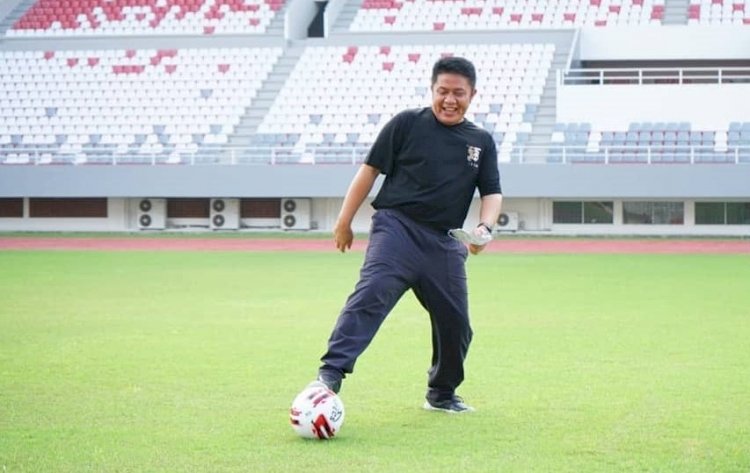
{"x": 274, "y": 156}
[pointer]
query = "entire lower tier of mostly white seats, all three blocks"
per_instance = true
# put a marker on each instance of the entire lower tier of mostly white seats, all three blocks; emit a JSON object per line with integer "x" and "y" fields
{"x": 45, "y": 102}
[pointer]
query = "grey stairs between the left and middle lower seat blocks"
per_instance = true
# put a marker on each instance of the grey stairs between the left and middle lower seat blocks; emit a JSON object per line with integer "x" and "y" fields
{"x": 266, "y": 95}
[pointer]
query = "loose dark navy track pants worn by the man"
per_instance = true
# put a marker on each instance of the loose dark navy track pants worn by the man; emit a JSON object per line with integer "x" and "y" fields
{"x": 404, "y": 255}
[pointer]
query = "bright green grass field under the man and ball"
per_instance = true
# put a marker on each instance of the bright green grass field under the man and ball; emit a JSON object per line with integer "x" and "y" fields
{"x": 143, "y": 361}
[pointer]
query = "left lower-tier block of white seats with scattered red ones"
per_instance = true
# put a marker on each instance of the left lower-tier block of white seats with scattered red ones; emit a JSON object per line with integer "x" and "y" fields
{"x": 137, "y": 105}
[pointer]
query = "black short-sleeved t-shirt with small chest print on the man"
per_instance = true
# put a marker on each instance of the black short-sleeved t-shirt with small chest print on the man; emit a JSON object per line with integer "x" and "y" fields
{"x": 431, "y": 169}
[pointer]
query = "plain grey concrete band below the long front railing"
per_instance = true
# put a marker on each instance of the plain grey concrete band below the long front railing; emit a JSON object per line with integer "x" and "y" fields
{"x": 657, "y": 181}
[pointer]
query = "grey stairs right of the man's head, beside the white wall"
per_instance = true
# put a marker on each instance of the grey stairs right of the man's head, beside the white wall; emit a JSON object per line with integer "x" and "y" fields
{"x": 543, "y": 126}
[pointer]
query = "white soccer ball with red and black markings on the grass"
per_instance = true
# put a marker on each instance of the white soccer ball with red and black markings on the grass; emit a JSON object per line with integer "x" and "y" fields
{"x": 317, "y": 413}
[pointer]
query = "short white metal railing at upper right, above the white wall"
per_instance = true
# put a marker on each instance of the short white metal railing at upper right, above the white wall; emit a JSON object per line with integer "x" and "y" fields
{"x": 655, "y": 75}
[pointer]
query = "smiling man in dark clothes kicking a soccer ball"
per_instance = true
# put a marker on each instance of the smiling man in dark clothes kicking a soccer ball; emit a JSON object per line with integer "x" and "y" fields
{"x": 433, "y": 160}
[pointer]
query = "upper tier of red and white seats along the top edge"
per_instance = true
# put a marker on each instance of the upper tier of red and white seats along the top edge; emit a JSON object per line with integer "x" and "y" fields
{"x": 154, "y": 17}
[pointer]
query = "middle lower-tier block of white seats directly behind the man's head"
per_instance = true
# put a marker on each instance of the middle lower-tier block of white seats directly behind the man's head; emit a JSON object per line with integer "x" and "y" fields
{"x": 347, "y": 110}
